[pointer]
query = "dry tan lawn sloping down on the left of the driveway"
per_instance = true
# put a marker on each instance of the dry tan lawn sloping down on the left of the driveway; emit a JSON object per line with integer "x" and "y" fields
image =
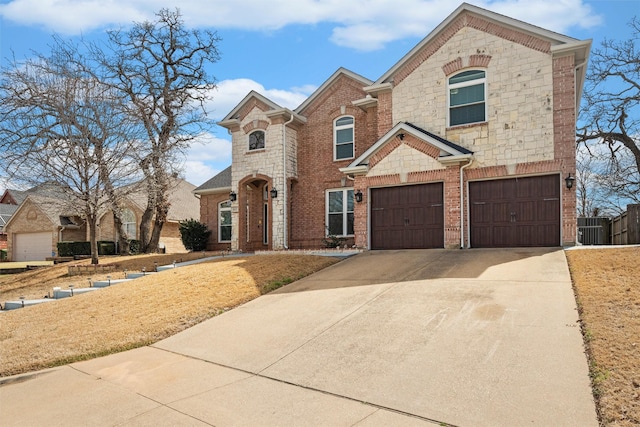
{"x": 135, "y": 313}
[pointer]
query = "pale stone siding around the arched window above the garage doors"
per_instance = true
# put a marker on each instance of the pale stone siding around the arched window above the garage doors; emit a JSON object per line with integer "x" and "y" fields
{"x": 519, "y": 98}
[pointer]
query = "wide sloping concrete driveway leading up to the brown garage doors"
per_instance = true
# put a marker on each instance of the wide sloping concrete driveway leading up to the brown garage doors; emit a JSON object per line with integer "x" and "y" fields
{"x": 466, "y": 338}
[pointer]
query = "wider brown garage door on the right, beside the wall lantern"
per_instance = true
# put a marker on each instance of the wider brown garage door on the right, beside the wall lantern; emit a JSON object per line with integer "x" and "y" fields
{"x": 515, "y": 212}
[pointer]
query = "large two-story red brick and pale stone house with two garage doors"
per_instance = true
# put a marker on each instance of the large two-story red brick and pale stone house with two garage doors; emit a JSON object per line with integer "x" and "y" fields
{"x": 465, "y": 142}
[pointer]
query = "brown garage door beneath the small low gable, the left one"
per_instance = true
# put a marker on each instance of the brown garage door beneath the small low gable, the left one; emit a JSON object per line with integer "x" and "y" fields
{"x": 408, "y": 217}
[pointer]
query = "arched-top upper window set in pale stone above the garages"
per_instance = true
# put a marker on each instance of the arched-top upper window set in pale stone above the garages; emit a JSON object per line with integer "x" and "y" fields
{"x": 467, "y": 98}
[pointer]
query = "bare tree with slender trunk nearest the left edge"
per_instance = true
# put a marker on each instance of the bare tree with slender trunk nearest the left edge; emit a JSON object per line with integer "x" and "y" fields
{"x": 61, "y": 125}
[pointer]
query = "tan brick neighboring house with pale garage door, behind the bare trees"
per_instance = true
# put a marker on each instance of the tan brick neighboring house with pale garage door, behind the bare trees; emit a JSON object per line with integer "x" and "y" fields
{"x": 41, "y": 221}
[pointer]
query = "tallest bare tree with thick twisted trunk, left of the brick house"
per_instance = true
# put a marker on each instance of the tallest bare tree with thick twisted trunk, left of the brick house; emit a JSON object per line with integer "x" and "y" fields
{"x": 160, "y": 67}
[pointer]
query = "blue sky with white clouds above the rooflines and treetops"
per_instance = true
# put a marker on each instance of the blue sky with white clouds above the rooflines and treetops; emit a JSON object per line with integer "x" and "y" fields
{"x": 285, "y": 49}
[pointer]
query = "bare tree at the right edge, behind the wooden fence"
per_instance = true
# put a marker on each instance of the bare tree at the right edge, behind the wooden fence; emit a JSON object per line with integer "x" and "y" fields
{"x": 611, "y": 113}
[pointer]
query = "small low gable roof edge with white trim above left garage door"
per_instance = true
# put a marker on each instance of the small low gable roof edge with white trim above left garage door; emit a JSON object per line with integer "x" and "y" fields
{"x": 449, "y": 151}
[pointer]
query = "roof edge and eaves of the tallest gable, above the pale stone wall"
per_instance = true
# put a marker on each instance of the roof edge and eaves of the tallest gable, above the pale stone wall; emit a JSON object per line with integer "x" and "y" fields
{"x": 560, "y": 44}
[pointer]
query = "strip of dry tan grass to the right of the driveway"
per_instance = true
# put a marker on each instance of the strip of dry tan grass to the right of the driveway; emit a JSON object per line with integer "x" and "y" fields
{"x": 607, "y": 287}
